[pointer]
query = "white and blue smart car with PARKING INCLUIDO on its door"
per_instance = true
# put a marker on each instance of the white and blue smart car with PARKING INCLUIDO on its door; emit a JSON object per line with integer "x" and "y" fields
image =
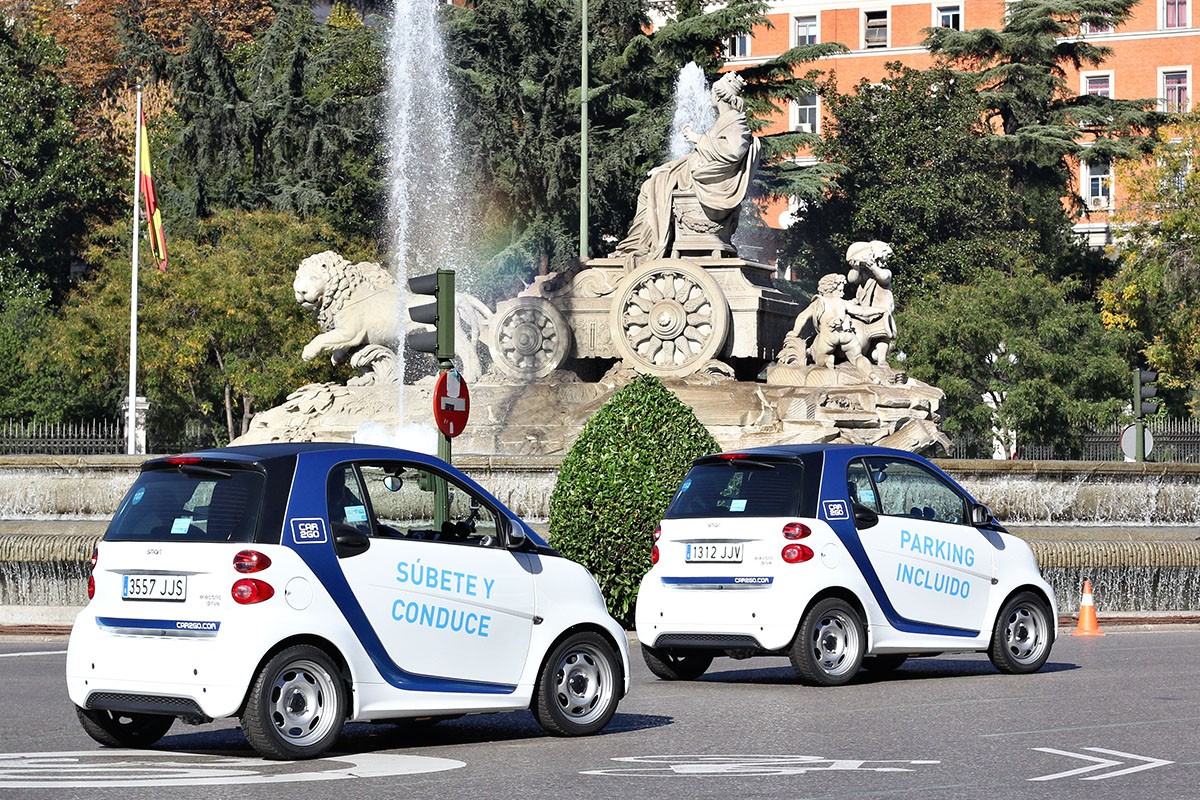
{"x": 838, "y": 557}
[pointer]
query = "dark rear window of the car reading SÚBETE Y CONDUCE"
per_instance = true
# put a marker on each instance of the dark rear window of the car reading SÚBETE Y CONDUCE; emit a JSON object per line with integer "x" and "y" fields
{"x": 190, "y": 504}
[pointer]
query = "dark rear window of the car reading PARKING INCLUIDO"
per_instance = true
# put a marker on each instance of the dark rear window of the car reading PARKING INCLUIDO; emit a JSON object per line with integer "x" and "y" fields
{"x": 740, "y": 489}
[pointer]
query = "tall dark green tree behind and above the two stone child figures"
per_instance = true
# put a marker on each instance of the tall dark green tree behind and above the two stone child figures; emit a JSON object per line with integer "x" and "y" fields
{"x": 916, "y": 173}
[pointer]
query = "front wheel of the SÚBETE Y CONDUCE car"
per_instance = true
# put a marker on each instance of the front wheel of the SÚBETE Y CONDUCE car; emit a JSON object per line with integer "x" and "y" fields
{"x": 579, "y": 687}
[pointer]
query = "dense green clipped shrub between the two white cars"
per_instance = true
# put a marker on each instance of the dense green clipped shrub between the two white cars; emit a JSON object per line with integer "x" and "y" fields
{"x": 616, "y": 484}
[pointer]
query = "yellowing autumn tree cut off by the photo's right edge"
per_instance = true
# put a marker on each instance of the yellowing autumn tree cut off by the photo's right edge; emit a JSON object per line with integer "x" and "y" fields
{"x": 1156, "y": 292}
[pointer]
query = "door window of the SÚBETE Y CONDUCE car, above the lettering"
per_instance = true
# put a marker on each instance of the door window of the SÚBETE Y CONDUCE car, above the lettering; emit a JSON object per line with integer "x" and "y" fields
{"x": 405, "y": 498}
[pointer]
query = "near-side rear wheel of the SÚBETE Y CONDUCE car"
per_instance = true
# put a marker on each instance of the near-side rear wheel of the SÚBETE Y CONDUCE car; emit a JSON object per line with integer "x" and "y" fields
{"x": 297, "y": 706}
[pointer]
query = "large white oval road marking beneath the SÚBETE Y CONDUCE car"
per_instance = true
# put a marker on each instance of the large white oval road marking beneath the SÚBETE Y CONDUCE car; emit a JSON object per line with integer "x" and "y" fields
{"x": 140, "y": 768}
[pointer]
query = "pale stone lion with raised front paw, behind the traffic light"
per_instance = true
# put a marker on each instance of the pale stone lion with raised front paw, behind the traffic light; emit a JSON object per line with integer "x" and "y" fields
{"x": 359, "y": 312}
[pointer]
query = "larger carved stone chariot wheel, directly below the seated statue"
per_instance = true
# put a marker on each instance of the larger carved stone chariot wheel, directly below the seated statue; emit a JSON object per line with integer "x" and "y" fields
{"x": 670, "y": 318}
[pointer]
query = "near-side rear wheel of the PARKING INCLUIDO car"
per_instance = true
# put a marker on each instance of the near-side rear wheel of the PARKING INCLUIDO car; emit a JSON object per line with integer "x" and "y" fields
{"x": 829, "y": 648}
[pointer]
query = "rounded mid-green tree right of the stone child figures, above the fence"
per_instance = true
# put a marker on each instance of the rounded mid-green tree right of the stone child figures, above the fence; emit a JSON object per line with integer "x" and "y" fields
{"x": 1013, "y": 353}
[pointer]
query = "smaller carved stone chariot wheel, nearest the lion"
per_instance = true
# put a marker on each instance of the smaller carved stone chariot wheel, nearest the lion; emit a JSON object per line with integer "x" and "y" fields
{"x": 531, "y": 339}
